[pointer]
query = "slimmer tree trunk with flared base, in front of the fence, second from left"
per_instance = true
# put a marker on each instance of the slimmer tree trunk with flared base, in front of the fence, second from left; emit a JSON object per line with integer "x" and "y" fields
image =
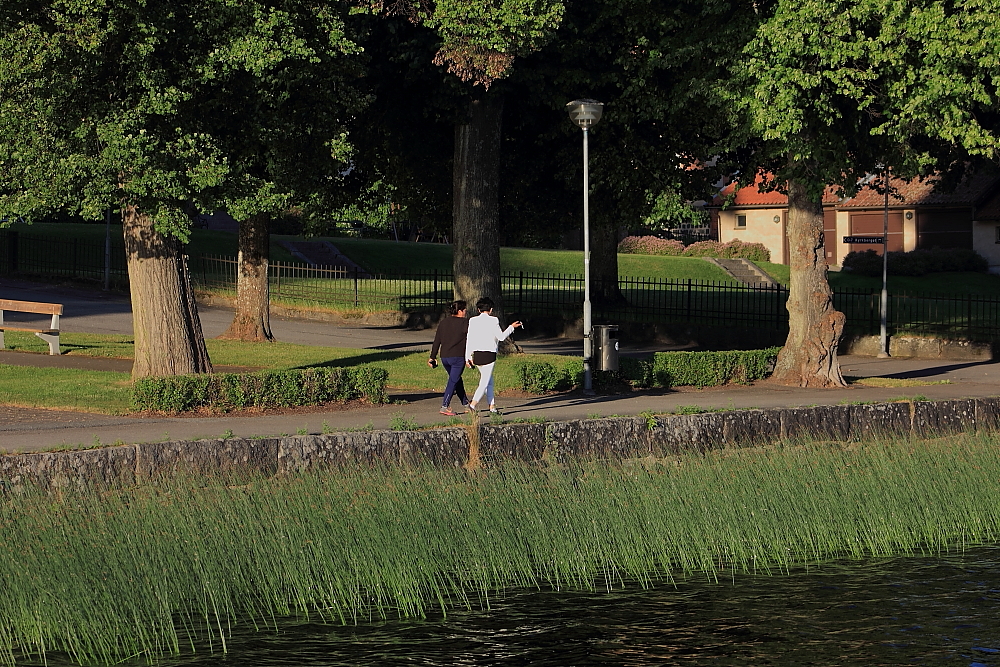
{"x": 252, "y": 321}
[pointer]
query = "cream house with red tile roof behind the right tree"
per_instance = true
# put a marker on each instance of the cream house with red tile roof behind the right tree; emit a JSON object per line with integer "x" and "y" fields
{"x": 919, "y": 217}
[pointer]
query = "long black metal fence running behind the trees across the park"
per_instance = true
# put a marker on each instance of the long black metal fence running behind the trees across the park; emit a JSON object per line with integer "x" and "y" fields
{"x": 646, "y": 299}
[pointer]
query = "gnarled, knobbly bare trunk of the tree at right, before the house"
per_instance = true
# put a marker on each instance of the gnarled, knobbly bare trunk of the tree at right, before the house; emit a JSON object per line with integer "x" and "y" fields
{"x": 809, "y": 357}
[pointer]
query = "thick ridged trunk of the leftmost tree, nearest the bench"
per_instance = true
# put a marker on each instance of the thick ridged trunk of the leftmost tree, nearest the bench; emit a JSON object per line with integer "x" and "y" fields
{"x": 168, "y": 336}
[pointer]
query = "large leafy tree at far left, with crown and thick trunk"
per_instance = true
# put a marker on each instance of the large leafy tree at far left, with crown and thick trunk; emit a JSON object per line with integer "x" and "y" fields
{"x": 102, "y": 106}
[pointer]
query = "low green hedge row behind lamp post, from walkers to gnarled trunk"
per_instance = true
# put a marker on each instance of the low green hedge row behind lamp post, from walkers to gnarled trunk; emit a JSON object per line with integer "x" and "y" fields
{"x": 664, "y": 370}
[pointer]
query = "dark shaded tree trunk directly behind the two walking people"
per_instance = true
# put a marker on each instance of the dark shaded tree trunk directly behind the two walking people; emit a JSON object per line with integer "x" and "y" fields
{"x": 476, "y": 211}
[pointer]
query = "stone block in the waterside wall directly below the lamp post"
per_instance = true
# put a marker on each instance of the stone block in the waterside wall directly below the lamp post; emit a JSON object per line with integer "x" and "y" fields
{"x": 614, "y": 438}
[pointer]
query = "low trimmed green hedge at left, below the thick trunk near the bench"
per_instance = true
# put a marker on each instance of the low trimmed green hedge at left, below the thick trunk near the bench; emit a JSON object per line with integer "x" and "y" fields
{"x": 267, "y": 389}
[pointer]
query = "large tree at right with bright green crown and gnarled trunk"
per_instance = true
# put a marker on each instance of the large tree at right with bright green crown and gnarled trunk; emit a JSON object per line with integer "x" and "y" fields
{"x": 836, "y": 90}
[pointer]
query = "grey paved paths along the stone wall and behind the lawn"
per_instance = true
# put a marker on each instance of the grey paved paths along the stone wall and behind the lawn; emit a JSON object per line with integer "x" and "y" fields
{"x": 32, "y": 430}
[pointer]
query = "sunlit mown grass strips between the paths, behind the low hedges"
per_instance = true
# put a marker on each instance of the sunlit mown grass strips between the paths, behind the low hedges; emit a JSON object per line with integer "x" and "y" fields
{"x": 100, "y": 391}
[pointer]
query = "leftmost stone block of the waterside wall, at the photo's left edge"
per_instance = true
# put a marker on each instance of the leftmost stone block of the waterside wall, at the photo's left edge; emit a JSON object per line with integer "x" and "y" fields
{"x": 105, "y": 467}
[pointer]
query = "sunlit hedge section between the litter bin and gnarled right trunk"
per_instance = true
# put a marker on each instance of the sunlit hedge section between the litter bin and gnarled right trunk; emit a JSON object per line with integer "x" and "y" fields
{"x": 711, "y": 369}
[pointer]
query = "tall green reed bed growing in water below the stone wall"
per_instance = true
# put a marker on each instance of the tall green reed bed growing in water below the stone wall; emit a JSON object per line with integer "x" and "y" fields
{"x": 129, "y": 574}
